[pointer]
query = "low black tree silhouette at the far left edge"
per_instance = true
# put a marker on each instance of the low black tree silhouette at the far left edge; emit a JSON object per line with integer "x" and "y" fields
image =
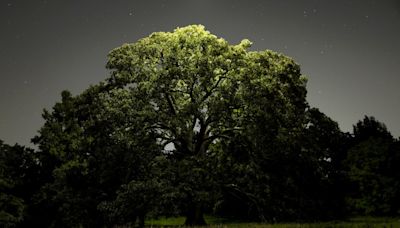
{"x": 19, "y": 179}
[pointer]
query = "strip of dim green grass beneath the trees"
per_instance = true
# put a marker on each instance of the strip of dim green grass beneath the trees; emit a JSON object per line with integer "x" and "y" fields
{"x": 364, "y": 222}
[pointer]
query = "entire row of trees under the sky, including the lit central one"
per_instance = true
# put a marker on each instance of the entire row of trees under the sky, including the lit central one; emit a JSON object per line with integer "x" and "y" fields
{"x": 188, "y": 125}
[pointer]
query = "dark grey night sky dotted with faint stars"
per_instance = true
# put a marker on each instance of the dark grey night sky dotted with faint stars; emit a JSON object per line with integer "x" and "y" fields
{"x": 348, "y": 49}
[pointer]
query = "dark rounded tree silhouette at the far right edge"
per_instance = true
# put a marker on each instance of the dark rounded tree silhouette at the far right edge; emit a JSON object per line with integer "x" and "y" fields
{"x": 371, "y": 170}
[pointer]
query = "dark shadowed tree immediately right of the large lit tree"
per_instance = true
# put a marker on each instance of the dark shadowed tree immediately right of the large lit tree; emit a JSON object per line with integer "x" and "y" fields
{"x": 324, "y": 148}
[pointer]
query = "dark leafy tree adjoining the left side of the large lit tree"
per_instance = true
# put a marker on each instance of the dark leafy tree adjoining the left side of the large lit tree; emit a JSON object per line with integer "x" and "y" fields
{"x": 88, "y": 158}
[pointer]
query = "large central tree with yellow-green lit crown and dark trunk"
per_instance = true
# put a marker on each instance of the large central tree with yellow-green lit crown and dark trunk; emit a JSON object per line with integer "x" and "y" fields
{"x": 194, "y": 91}
